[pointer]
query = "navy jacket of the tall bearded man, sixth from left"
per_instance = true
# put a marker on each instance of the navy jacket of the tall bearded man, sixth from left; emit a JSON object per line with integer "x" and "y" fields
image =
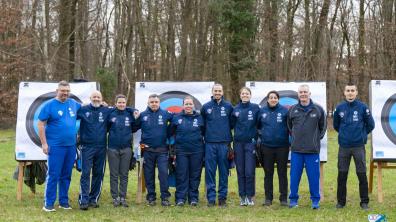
{"x": 217, "y": 119}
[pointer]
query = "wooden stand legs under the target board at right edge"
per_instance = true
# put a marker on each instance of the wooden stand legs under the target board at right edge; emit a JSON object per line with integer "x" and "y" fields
{"x": 379, "y": 165}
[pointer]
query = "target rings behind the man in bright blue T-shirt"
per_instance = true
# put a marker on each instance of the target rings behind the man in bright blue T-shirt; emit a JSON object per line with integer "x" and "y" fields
{"x": 34, "y": 111}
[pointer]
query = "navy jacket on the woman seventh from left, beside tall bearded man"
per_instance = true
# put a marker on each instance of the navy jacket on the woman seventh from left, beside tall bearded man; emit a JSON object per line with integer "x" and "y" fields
{"x": 244, "y": 119}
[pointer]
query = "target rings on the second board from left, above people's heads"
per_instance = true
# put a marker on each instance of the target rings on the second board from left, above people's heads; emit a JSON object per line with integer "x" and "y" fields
{"x": 173, "y": 101}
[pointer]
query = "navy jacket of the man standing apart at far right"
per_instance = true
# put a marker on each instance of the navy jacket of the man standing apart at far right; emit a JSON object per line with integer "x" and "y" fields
{"x": 353, "y": 122}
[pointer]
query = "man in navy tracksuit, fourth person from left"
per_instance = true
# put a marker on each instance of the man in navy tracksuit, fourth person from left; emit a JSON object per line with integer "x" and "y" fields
{"x": 154, "y": 123}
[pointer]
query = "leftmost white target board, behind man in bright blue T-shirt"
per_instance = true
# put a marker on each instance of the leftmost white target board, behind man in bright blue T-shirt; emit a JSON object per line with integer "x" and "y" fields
{"x": 32, "y": 97}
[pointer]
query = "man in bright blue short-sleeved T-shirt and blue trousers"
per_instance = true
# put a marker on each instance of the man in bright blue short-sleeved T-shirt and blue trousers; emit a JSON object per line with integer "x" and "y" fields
{"x": 58, "y": 132}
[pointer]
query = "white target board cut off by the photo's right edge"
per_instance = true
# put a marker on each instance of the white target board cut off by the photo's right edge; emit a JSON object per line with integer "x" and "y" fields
{"x": 383, "y": 108}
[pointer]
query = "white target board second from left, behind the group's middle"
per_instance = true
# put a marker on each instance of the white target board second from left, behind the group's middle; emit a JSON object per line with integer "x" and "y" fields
{"x": 171, "y": 95}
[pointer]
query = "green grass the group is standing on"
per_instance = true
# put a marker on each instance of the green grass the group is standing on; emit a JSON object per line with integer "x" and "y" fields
{"x": 29, "y": 209}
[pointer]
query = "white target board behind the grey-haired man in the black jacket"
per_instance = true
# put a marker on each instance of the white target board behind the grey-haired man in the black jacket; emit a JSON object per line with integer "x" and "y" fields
{"x": 288, "y": 97}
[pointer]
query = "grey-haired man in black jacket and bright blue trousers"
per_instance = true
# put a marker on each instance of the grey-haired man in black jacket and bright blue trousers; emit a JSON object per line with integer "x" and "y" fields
{"x": 307, "y": 123}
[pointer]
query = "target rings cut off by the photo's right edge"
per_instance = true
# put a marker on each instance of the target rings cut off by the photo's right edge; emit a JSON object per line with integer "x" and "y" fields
{"x": 388, "y": 118}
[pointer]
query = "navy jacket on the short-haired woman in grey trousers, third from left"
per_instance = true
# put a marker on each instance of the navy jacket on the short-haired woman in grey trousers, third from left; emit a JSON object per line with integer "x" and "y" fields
{"x": 120, "y": 124}
